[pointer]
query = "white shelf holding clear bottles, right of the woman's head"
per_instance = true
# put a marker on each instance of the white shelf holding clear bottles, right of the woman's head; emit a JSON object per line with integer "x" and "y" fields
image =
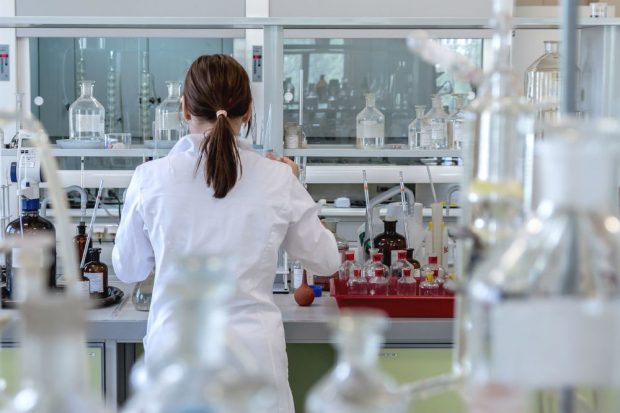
{"x": 350, "y": 151}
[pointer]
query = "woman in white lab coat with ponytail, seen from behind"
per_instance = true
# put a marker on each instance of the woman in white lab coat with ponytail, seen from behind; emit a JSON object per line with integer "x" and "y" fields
{"x": 211, "y": 195}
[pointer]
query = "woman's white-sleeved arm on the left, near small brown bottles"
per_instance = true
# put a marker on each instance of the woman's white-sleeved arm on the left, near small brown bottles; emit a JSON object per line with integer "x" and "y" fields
{"x": 133, "y": 256}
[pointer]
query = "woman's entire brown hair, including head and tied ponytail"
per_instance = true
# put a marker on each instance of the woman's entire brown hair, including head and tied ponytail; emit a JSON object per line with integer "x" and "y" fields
{"x": 218, "y": 83}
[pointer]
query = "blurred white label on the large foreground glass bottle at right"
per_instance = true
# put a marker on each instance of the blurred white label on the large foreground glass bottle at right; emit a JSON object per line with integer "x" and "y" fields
{"x": 562, "y": 342}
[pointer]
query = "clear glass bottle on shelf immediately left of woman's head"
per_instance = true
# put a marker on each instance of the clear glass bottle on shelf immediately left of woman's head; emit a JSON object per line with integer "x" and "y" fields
{"x": 168, "y": 122}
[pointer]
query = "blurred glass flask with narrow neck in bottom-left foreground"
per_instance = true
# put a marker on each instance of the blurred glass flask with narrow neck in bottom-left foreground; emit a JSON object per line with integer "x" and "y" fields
{"x": 53, "y": 355}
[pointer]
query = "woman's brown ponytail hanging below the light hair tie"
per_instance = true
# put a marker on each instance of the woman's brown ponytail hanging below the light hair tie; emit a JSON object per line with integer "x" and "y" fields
{"x": 223, "y": 164}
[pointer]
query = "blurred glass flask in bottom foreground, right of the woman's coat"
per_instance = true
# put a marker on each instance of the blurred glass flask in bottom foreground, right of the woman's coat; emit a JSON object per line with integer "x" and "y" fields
{"x": 356, "y": 384}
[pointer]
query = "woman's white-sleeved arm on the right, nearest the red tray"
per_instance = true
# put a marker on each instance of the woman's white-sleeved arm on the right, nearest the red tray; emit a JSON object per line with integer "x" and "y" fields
{"x": 306, "y": 239}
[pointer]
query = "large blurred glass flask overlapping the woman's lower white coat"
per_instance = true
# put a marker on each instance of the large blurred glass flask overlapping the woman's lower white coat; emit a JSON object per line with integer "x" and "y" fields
{"x": 191, "y": 372}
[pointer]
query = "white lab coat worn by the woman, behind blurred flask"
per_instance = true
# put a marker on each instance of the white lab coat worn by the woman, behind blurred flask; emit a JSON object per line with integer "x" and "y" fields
{"x": 169, "y": 212}
